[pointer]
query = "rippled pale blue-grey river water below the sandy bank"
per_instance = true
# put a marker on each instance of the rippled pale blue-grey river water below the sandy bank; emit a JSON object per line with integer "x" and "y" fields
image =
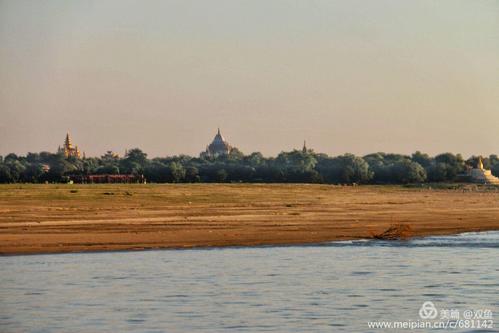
{"x": 321, "y": 288}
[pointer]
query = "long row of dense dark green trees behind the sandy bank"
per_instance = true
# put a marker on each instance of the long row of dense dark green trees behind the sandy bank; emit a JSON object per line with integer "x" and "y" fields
{"x": 297, "y": 166}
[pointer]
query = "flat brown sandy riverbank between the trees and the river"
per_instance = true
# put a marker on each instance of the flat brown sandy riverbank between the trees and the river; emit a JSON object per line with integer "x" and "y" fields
{"x": 71, "y": 218}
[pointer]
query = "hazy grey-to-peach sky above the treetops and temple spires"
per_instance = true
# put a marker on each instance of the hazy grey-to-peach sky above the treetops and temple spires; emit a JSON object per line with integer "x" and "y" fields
{"x": 346, "y": 76}
